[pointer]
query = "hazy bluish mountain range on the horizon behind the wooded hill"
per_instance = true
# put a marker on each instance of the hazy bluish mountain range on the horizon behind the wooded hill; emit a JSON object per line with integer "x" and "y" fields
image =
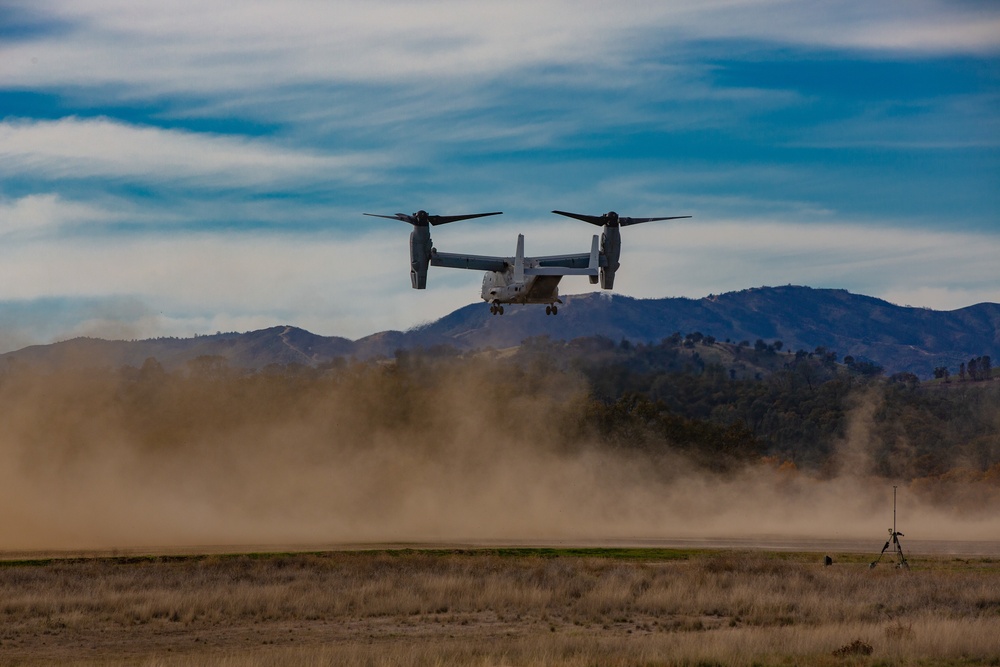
{"x": 899, "y": 338}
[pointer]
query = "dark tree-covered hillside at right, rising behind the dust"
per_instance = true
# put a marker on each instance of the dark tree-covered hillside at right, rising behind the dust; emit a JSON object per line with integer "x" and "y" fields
{"x": 798, "y": 406}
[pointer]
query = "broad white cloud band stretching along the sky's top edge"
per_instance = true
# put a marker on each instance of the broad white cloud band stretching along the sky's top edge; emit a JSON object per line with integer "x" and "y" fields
{"x": 216, "y": 46}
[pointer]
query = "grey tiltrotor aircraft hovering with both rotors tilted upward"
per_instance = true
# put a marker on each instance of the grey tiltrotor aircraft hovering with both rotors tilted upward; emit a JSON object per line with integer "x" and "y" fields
{"x": 521, "y": 279}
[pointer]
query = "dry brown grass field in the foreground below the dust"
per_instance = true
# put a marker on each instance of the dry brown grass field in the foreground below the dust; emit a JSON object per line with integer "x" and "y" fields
{"x": 499, "y": 607}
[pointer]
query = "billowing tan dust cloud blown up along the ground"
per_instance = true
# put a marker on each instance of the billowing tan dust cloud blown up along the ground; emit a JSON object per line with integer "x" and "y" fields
{"x": 448, "y": 452}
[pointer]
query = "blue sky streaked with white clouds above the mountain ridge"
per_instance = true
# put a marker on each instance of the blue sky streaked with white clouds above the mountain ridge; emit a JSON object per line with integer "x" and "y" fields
{"x": 192, "y": 167}
